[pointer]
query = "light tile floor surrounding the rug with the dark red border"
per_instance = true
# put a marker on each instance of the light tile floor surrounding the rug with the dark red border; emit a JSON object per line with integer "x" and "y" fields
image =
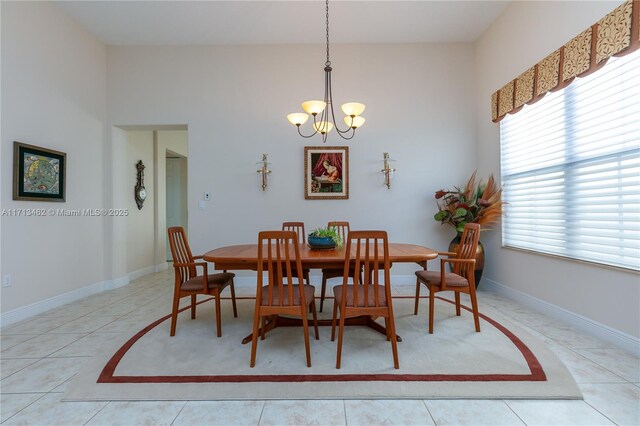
{"x": 41, "y": 355}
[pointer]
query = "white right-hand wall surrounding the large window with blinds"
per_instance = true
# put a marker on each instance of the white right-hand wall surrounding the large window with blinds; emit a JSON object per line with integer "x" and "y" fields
{"x": 515, "y": 42}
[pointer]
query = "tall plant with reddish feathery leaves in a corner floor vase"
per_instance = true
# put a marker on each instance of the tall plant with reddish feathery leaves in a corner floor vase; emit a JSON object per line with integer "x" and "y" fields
{"x": 475, "y": 202}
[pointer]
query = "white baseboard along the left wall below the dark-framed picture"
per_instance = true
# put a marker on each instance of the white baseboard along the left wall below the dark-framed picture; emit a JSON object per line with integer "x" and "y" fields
{"x": 25, "y": 312}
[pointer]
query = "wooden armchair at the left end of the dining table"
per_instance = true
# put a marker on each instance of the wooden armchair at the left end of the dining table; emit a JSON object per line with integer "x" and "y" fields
{"x": 189, "y": 283}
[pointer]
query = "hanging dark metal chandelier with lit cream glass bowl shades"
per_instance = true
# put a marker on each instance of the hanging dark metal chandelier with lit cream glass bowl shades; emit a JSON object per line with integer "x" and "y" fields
{"x": 327, "y": 120}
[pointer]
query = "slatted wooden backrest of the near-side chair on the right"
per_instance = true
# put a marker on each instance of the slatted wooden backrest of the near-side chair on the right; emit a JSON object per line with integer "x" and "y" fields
{"x": 370, "y": 249}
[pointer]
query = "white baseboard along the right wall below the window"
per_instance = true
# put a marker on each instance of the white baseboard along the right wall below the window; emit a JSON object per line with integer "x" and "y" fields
{"x": 616, "y": 337}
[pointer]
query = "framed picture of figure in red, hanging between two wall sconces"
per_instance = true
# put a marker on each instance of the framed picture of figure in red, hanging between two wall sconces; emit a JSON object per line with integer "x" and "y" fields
{"x": 326, "y": 172}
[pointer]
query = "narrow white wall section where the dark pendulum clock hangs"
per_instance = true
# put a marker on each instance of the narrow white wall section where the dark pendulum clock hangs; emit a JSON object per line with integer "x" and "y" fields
{"x": 140, "y": 223}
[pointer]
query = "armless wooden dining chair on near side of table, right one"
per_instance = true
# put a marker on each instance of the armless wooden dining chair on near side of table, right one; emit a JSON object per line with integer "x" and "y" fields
{"x": 372, "y": 298}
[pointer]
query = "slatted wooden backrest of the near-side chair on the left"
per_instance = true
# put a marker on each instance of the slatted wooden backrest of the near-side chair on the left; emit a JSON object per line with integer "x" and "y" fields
{"x": 279, "y": 260}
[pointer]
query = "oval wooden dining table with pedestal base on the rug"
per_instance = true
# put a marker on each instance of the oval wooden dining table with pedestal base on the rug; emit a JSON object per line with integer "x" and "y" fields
{"x": 245, "y": 257}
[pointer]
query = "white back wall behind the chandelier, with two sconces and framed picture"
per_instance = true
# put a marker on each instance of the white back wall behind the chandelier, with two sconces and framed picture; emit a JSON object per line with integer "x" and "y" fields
{"x": 234, "y": 100}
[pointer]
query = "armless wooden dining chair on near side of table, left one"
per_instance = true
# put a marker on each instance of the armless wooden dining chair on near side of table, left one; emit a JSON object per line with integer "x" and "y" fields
{"x": 278, "y": 259}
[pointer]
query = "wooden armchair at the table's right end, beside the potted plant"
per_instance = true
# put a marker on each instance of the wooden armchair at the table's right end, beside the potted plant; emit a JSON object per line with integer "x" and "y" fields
{"x": 461, "y": 280}
